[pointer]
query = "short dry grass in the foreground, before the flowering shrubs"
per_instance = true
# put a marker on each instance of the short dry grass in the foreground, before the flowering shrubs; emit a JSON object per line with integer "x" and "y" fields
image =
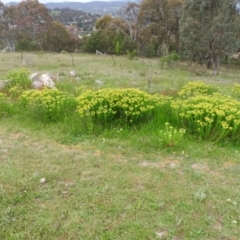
{"x": 105, "y": 192}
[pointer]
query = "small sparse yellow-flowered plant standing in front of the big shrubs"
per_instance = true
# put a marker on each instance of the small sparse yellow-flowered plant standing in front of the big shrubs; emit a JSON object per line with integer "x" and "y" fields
{"x": 170, "y": 136}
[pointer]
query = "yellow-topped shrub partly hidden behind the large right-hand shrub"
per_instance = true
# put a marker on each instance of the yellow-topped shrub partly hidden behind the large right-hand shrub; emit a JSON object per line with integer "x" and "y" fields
{"x": 196, "y": 88}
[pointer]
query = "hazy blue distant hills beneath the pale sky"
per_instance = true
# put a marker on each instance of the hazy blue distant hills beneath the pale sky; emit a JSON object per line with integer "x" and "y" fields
{"x": 92, "y": 7}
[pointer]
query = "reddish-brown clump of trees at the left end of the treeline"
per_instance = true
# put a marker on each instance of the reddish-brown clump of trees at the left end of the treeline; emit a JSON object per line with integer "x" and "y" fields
{"x": 29, "y": 26}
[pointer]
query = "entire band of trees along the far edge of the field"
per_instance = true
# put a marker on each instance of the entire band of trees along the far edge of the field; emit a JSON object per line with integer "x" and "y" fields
{"x": 200, "y": 30}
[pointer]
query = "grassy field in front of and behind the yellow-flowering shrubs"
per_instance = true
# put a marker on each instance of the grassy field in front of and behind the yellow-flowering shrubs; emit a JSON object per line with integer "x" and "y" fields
{"x": 119, "y": 183}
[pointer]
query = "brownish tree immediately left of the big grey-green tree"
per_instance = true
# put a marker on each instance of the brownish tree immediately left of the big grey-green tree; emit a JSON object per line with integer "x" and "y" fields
{"x": 159, "y": 21}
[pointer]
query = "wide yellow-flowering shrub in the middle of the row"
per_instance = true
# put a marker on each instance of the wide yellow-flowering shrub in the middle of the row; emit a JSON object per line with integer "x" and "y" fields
{"x": 124, "y": 106}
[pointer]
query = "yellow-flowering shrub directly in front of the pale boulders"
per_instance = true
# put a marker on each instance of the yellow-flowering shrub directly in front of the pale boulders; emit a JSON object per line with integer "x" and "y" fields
{"x": 48, "y": 105}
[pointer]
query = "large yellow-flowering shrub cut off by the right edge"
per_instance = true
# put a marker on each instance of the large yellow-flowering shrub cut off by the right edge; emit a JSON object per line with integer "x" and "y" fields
{"x": 214, "y": 116}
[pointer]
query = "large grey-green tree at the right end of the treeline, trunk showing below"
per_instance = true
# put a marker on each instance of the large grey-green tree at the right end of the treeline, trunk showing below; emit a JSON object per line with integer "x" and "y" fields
{"x": 209, "y": 29}
